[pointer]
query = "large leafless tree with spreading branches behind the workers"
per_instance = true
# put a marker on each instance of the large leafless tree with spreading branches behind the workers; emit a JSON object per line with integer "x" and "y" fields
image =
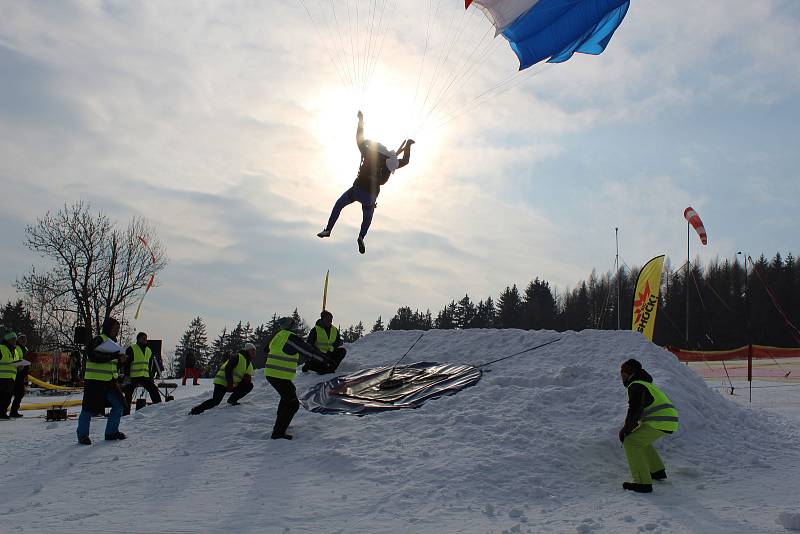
{"x": 99, "y": 269}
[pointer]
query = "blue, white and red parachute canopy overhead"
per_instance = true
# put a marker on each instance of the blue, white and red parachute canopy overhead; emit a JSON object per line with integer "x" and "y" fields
{"x": 554, "y": 30}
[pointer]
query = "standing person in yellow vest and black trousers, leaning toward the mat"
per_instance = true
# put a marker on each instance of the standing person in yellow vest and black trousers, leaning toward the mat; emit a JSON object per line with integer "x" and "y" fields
{"x": 286, "y": 351}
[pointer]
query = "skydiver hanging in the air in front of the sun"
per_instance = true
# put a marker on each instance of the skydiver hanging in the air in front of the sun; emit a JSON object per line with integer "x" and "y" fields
{"x": 377, "y": 164}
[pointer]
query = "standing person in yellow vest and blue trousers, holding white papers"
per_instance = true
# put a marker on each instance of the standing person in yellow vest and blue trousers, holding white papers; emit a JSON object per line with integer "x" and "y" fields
{"x": 100, "y": 385}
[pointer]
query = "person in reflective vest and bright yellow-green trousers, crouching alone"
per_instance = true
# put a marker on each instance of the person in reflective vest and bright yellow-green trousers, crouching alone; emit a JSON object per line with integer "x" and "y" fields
{"x": 650, "y": 417}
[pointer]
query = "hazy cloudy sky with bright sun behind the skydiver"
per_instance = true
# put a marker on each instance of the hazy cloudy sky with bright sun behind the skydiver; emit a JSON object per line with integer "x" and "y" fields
{"x": 227, "y": 126}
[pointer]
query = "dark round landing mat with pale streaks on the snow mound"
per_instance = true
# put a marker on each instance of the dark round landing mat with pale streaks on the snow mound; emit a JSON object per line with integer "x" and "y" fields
{"x": 380, "y": 389}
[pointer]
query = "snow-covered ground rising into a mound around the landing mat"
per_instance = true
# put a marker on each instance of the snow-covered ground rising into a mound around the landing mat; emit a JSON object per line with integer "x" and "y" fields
{"x": 532, "y": 447}
